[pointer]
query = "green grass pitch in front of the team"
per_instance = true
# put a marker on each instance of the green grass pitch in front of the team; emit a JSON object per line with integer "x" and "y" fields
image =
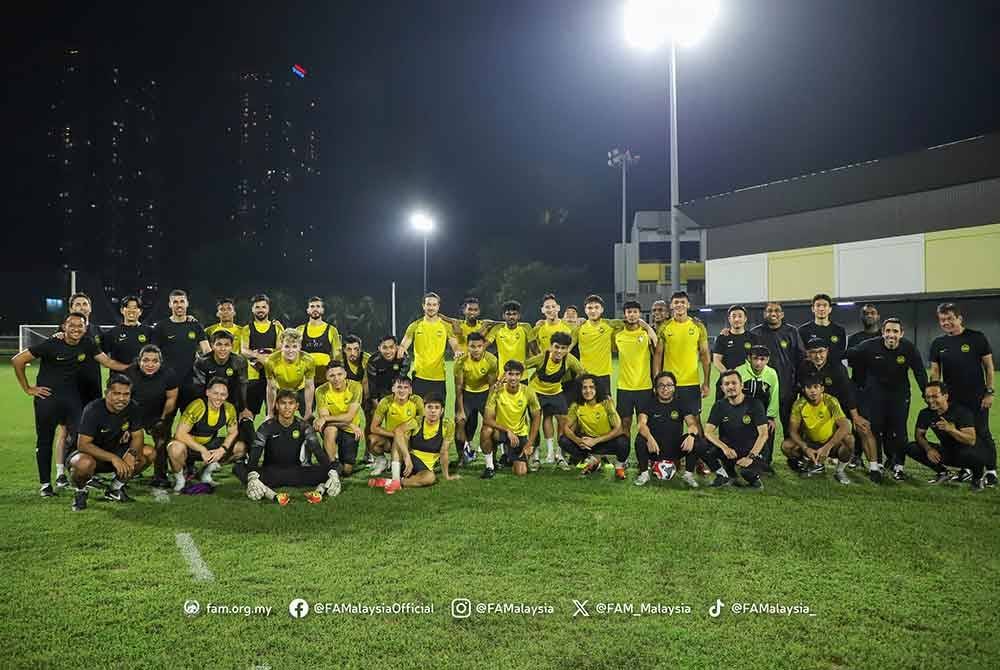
{"x": 899, "y": 576}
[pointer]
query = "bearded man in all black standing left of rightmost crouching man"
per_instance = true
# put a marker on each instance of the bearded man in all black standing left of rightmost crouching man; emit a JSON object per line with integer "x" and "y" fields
{"x": 885, "y": 364}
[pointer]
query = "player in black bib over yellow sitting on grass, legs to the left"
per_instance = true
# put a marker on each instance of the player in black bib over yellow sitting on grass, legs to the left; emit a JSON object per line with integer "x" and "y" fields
{"x": 417, "y": 451}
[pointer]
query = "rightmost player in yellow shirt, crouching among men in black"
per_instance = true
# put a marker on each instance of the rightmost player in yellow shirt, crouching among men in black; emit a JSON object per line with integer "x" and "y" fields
{"x": 818, "y": 428}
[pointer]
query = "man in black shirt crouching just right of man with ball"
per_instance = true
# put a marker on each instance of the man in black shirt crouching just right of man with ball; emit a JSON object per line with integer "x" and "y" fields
{"x": 737, "y": 430}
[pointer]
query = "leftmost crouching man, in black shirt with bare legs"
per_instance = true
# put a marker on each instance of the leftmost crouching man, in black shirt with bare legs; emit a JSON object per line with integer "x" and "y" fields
{"x": 109, "y": 439}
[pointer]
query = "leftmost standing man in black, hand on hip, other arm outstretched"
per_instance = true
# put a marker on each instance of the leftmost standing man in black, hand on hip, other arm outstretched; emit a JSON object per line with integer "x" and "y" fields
{"x": 56, "y": 391}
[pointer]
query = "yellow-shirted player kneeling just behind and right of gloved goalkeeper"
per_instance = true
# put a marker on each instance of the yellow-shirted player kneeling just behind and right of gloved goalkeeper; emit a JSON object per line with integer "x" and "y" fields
{"x": 338, "y": 416}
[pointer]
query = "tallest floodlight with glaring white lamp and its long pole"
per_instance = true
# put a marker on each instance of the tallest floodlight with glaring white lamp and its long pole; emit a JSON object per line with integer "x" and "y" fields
{"x": 650, "y": 24}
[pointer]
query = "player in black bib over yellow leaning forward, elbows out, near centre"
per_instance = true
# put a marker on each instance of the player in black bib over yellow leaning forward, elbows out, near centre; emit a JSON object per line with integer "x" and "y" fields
{"x": 554, "y": 368}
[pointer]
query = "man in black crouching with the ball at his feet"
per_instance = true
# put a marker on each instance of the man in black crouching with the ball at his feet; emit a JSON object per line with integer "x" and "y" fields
{"x": 668, "y": 431}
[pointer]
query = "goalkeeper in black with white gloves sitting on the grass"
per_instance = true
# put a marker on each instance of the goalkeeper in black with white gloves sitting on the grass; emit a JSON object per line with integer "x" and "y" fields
{"x": 280, "y": 440}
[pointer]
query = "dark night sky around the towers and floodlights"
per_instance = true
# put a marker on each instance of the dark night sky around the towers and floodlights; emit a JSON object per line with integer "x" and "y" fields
{"x": 489, "y": 112}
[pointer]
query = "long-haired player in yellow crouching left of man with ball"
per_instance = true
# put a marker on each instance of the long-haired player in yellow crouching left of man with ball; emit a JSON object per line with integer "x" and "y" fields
{"x": 593, "y": 427}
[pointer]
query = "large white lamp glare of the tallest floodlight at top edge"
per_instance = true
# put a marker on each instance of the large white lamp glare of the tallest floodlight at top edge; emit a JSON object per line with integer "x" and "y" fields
{"x": 651, "y": 23}
